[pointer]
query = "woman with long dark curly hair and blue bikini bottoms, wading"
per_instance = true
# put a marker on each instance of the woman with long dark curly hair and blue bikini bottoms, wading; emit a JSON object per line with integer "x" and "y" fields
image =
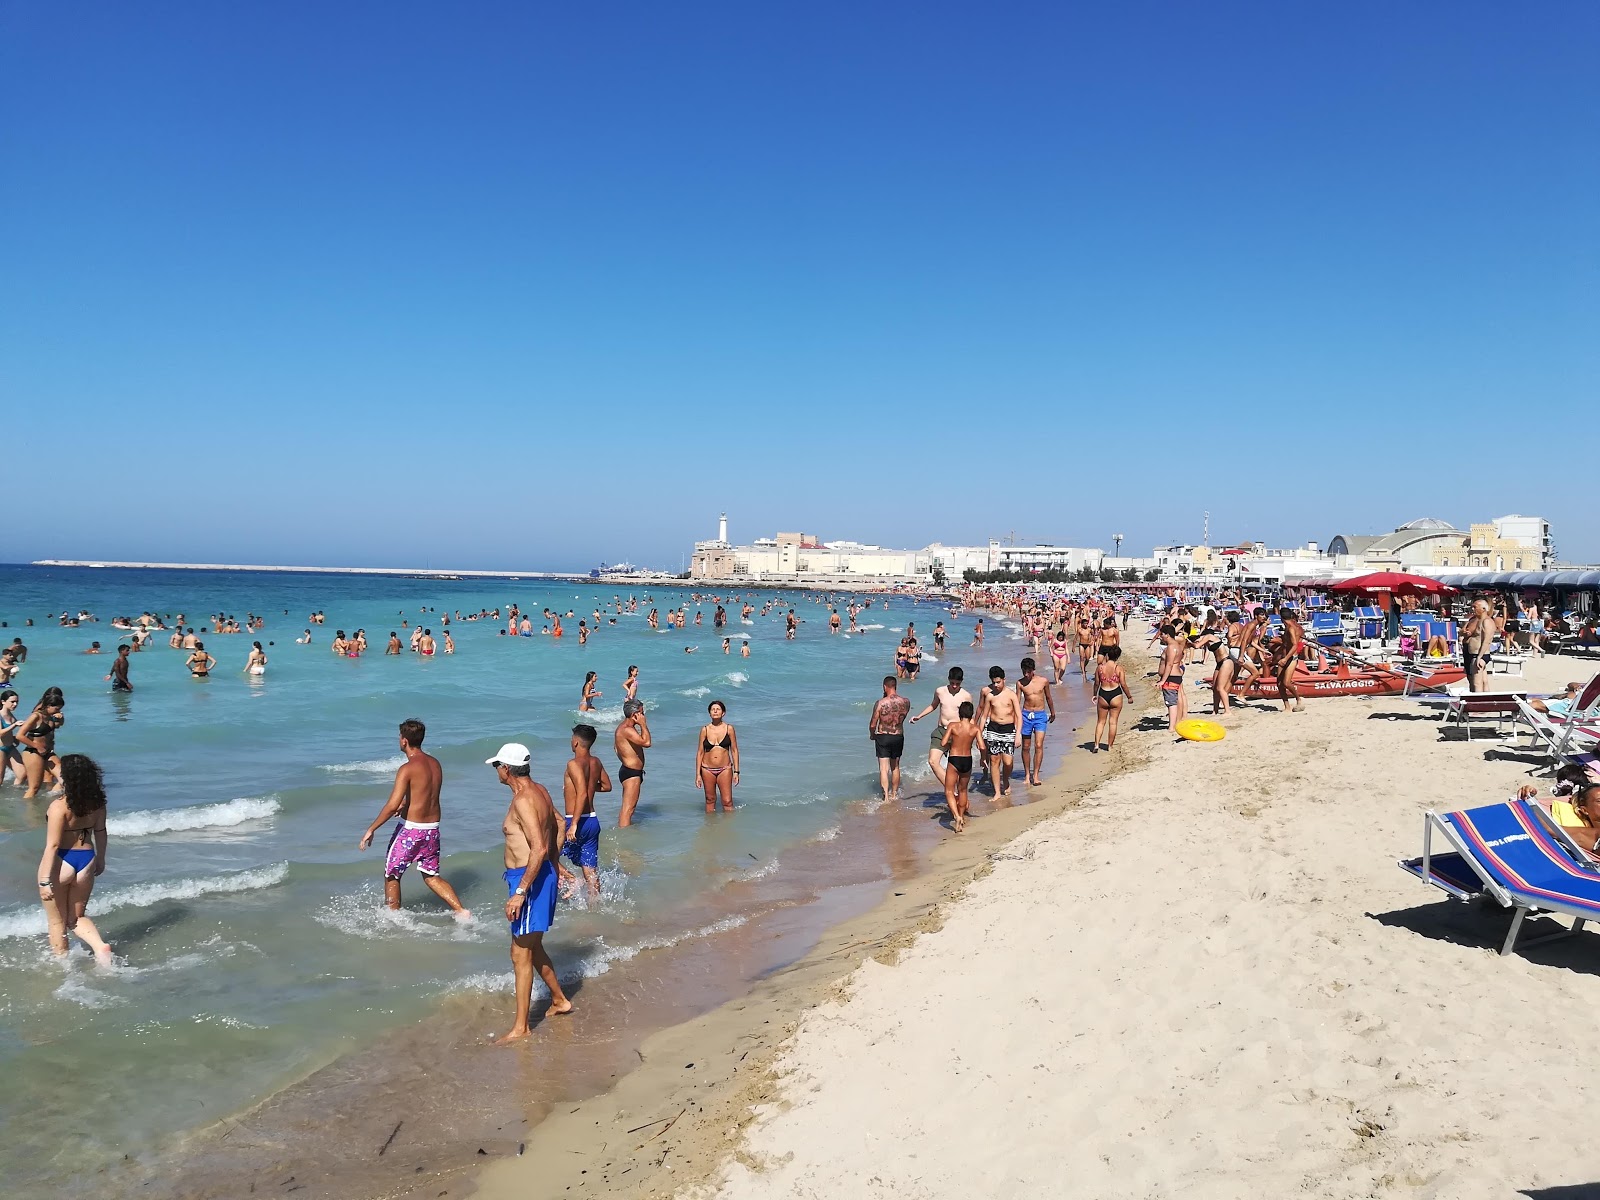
{"x": 74, "y": 857}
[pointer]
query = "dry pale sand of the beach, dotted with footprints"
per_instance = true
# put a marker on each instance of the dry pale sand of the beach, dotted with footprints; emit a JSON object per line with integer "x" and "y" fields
{"x": 1209, "y": 982}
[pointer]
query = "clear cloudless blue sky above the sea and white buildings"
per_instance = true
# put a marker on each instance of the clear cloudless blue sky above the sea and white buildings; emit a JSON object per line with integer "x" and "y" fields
{"x": 538, "y": 286}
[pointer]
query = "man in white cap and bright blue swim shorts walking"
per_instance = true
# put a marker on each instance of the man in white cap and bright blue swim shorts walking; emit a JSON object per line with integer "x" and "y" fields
{"x": 534, "y": 846}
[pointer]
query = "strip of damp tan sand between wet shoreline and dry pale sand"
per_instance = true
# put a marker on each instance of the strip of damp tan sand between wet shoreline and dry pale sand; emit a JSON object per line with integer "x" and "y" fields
{"x": 711, "y": 1073}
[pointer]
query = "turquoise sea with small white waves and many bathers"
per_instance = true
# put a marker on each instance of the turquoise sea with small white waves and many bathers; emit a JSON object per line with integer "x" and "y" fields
{"x": 254, "y": 946}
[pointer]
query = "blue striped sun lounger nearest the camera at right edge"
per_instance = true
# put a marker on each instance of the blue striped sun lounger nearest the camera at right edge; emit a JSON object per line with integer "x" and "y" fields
{"x": 1516, "y": 855}
